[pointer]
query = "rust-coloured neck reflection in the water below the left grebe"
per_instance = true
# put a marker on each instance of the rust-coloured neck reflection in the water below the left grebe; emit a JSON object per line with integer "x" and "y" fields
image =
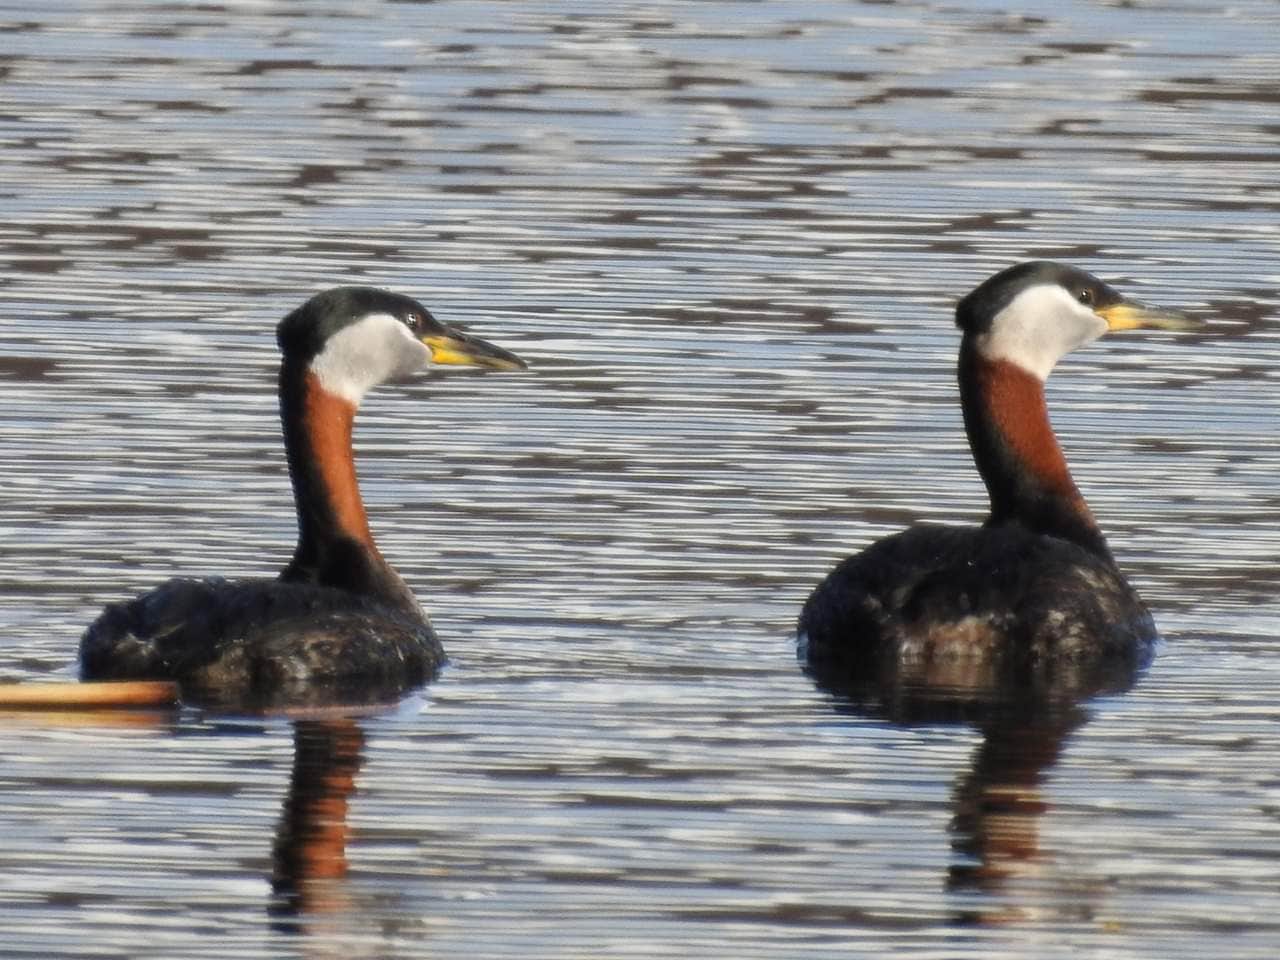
{"x": 310, "y": 853}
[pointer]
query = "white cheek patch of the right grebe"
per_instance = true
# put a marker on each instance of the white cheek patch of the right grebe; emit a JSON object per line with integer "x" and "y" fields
{"x": 1040, "y": 327}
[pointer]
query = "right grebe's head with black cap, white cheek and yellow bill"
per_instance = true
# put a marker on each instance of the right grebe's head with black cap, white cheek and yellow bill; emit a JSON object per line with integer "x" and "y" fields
{"x": 1036, "y": 313}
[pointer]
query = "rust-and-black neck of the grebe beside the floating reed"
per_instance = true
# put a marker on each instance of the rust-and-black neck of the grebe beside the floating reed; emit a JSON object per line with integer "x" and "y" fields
{"x": 336, "y": 547}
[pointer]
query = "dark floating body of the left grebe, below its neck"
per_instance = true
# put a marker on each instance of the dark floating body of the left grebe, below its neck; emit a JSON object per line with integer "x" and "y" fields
{"x": 264, "y": 643}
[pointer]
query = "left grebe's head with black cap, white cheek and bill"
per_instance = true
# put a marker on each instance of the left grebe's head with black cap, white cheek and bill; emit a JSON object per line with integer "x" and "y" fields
{"x": 354, "y": 339}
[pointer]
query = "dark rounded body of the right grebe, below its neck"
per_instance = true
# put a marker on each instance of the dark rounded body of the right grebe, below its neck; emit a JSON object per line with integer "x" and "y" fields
{"x": 934, "y": 600}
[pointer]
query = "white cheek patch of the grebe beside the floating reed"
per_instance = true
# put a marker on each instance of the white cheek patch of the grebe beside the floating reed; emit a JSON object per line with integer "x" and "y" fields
{"x": 365, "y": 354}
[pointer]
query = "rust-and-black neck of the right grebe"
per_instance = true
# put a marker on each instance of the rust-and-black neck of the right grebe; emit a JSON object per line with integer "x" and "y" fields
{"x": 1018, "y": 455}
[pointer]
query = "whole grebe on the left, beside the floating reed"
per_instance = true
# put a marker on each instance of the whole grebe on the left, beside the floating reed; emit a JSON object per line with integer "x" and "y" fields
{"x": 339, "y": 624}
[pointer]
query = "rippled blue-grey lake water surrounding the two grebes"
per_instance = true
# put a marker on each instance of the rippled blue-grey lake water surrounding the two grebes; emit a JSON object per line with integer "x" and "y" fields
{"x": 728, "y": 237}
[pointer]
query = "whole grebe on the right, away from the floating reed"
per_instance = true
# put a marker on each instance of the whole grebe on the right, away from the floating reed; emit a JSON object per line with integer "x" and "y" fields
{"x": 1032, "y": 593}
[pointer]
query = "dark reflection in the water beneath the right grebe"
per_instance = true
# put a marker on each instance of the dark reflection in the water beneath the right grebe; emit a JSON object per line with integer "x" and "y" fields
{"x": 1026, "y": 721}
